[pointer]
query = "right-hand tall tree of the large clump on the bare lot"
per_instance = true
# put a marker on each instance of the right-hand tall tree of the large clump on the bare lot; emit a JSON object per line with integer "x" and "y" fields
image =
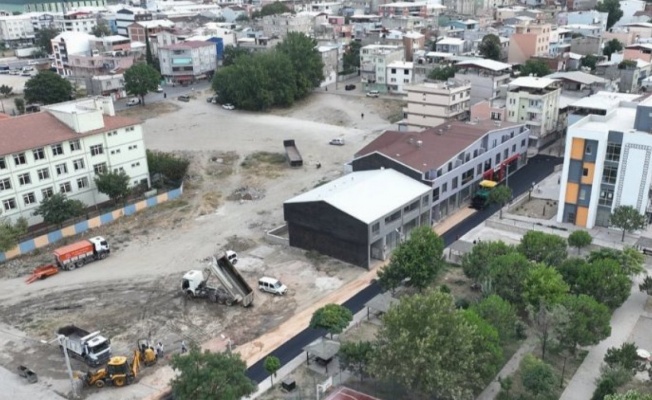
{"x": 306, "y": 59}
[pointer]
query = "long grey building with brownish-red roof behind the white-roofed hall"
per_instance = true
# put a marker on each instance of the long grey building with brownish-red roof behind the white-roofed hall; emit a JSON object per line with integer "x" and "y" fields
{"x": 451, "y": 158}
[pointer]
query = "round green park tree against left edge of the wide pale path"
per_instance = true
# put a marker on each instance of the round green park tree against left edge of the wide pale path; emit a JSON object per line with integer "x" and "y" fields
{"x": 588, "y": 322}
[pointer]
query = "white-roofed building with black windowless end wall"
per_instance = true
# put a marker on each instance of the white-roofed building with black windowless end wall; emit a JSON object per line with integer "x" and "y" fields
{"x": 354, "y": 219}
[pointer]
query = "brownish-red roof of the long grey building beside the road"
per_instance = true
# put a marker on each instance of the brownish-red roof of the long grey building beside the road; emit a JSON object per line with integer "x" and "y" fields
{"x": 435, "y": 149}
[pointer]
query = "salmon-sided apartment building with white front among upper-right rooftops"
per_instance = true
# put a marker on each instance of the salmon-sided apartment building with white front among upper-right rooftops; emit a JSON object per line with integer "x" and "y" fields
{"x": 527, "y": 41}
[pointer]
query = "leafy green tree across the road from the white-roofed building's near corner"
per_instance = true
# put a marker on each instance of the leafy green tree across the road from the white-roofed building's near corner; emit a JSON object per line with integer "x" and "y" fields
{"x": 419, "y": 259}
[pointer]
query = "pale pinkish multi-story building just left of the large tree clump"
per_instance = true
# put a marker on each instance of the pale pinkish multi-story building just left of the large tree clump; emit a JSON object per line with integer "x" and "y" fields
{"x": 188, "y": 61}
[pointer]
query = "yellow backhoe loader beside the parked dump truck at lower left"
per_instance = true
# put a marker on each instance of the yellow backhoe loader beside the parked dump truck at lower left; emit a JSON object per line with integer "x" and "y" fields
{"x": 119, "y": 371}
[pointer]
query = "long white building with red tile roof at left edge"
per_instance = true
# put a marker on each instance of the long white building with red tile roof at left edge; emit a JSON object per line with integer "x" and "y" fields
{"x": 61, "y": 150}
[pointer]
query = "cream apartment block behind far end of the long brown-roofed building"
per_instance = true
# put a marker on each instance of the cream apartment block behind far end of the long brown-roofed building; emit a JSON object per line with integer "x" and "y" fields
{"x": 535, "y": 102}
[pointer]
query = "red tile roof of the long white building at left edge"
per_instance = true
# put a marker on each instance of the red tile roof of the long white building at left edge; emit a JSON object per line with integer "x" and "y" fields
{"x": 37, "y": 130}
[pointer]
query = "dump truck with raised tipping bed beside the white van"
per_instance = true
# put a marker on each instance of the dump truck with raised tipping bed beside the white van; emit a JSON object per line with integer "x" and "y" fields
{"x": 234, "y": 289}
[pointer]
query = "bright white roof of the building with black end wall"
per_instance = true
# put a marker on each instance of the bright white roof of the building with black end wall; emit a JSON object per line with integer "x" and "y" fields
{"x": 363, "y": 194}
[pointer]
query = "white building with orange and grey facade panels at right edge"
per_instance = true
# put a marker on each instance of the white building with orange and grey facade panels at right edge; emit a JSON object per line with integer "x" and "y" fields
{"x": 607, "y": 164}
